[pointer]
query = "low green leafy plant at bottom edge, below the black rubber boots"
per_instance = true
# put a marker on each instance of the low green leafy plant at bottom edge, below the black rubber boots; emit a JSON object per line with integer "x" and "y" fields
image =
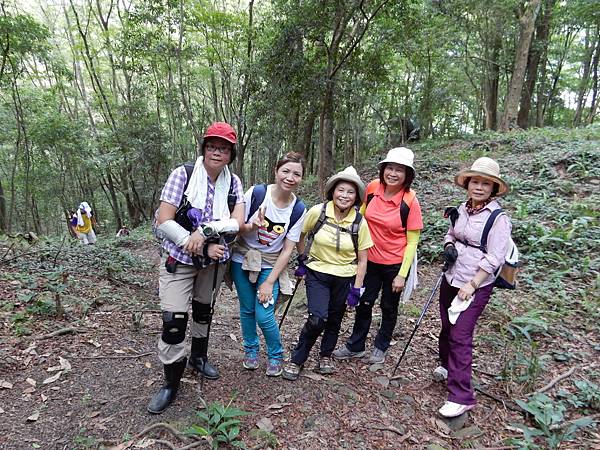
{"x": 220, "y": 425}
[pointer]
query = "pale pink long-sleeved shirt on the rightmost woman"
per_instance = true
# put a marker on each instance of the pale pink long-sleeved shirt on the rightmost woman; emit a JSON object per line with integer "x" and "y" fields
{"x": 470, "y": 259}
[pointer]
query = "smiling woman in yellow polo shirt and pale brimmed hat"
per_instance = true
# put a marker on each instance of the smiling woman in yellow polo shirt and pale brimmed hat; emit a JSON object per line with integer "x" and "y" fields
{"x": 334, "y": 261}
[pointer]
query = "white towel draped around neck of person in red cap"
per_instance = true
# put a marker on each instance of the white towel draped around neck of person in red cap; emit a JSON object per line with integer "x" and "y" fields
{"x": 198, "y": 188}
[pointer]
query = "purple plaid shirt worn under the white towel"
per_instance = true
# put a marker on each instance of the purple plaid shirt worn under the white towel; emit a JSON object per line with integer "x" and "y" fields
{"x": 172, "y": 193}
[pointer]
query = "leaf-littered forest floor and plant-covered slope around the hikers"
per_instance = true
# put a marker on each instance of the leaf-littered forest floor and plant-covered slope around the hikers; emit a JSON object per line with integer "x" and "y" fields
{"x": 83, "y": 380}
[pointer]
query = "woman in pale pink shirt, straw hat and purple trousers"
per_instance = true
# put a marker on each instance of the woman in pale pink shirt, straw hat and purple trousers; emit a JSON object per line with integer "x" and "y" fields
{"x": 468, "y": 283}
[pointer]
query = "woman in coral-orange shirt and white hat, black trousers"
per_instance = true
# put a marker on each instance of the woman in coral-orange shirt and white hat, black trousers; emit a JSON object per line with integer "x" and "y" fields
{"x": 395, "y": 221}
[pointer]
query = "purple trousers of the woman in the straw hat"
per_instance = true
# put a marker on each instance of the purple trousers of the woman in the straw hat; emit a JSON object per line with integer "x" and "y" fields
{"x": 456, "y": 341}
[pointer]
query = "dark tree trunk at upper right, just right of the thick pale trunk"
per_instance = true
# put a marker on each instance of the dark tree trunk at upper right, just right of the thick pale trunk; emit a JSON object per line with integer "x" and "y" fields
{"x": 537, "y": 49}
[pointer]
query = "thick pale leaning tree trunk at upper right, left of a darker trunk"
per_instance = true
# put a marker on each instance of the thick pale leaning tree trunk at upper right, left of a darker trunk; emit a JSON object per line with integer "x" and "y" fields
{"x": 515, "y": 88}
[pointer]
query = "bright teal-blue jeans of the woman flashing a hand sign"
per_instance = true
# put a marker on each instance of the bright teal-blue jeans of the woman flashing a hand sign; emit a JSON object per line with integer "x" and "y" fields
{"x": 252, "y": 313}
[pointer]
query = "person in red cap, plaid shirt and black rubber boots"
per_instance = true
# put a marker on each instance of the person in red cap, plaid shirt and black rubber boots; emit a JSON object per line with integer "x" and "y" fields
{"x": 199, "y": 205}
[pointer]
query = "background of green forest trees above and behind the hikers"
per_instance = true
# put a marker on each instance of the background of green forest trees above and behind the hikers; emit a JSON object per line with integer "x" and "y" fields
{"x": 99, "y": 100}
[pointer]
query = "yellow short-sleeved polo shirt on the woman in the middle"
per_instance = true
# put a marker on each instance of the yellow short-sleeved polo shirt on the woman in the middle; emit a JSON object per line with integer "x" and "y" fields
{"x": 324, "y": 256}
